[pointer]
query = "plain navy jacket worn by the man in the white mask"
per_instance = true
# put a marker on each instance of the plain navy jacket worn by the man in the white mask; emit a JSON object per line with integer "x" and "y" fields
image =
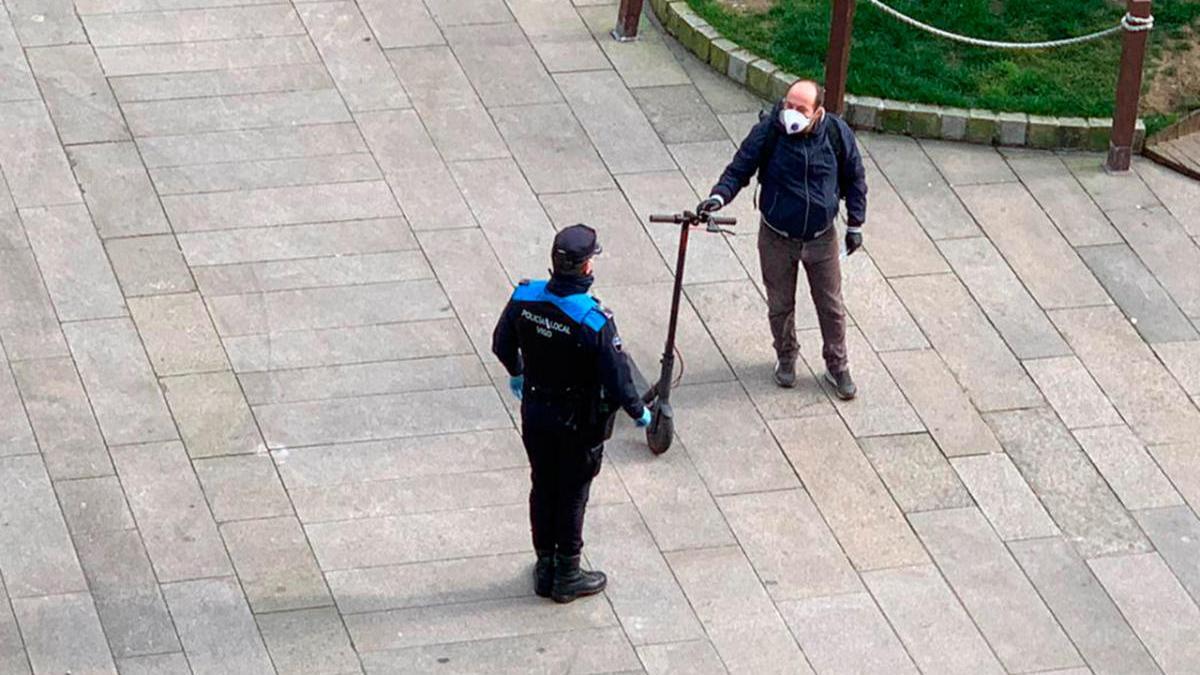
{"x": 803, "y": 181}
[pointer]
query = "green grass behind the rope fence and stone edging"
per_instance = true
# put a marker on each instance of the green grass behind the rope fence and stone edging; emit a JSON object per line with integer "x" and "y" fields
{"x": 893, "y": 61}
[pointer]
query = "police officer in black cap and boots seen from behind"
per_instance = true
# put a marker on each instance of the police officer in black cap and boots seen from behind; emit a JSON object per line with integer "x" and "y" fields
{"x": 562, "y": 351}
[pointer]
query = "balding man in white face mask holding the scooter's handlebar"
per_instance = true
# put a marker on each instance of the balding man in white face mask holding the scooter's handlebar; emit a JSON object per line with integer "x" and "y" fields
{"x": 807, "y": 162}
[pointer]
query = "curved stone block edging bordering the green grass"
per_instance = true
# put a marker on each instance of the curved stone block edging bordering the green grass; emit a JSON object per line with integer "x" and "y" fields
{"x": 921, "y": 121}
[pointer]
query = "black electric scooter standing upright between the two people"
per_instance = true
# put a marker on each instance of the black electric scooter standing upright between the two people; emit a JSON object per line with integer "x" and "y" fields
{"x": 662, "y": 431}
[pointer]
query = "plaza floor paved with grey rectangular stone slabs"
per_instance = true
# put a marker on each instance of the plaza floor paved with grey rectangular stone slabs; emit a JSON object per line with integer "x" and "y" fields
{"x": 251, "y": 254}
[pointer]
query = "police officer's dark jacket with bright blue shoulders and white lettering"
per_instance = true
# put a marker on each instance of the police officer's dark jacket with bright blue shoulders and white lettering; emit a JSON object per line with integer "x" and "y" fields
{"x": 567, "y": 347}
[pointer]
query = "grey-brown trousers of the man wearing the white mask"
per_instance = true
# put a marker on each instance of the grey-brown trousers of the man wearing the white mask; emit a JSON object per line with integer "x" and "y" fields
{"x": 781, "y": 259}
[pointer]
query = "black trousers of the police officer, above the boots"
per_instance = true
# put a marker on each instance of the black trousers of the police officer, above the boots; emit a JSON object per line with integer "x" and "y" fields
{"x": 562, "y": 465}
